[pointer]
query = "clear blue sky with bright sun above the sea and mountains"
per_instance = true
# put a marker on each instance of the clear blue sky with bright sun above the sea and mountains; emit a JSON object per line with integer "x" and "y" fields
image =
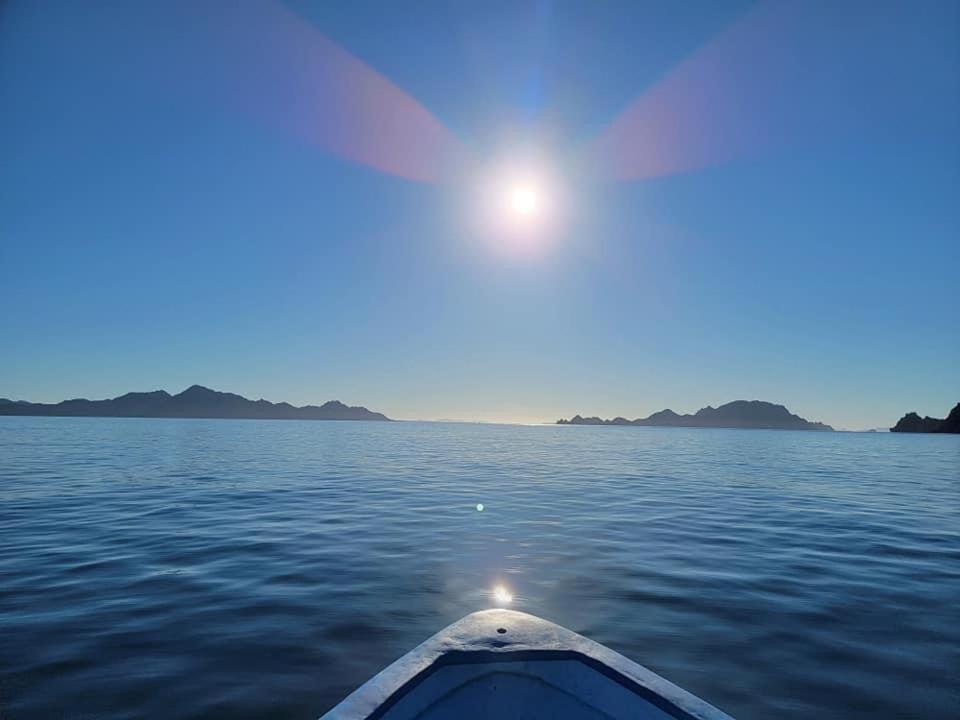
{"x": 301, "y": 201}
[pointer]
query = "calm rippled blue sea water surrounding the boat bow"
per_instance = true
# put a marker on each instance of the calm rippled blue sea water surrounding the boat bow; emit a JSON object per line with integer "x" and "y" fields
{"x": 205, "y": 568}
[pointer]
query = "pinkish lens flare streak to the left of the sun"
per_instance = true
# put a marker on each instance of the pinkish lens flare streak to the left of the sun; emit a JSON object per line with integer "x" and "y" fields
{"x": 269, "y": 61}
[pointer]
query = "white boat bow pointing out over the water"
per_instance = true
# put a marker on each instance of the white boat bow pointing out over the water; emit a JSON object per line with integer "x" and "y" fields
{"x": 505, "y": 664}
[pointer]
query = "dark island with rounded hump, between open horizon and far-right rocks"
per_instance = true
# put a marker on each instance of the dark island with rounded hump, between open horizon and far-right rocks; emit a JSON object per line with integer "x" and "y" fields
{"x": 737, "y": 414}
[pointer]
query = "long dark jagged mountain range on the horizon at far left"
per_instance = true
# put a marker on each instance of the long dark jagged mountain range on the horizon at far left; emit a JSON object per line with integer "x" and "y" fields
{"x": 194, "y": 402}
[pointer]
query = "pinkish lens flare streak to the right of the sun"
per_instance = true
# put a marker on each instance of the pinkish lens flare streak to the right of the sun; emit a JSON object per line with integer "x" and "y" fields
{"x": 744, "y": 92}
